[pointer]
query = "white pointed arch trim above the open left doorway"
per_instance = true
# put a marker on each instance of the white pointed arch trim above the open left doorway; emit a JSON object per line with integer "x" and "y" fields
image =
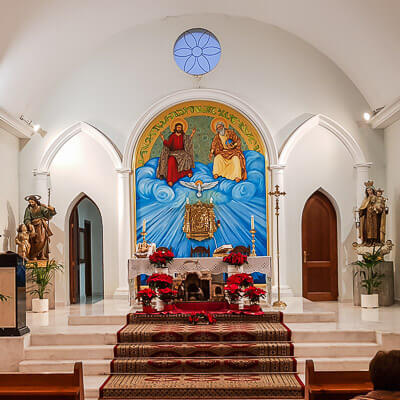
{"x": 69, "y": 133}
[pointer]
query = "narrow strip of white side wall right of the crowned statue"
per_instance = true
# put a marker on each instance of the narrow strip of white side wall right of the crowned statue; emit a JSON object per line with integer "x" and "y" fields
{"x": 392, "y": 148}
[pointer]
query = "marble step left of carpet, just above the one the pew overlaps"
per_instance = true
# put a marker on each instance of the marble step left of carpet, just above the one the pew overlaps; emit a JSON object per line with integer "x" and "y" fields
{"x": 72, "y": 352}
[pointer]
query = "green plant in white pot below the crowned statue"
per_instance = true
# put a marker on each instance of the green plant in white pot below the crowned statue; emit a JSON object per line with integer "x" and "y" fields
{"x": 371, "y": 279}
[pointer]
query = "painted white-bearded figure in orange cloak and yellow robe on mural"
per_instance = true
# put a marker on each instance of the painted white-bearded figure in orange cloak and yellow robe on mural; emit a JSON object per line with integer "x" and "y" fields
{"x": 229, "y": 161}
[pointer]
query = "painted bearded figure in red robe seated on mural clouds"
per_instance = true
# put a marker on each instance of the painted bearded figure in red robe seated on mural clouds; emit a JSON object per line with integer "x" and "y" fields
{"x": 177, "y": 157}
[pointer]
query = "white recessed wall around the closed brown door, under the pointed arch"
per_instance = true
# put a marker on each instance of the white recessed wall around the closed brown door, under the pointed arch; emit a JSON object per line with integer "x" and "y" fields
{"x": 319, "y": 161}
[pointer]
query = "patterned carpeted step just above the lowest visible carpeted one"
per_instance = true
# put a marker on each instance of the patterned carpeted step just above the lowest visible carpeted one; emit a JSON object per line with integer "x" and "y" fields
{"x": 186, "y": 365}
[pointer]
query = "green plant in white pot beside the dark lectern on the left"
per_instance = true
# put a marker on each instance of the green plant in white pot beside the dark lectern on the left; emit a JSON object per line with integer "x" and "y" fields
{"x": 41, "y": 278}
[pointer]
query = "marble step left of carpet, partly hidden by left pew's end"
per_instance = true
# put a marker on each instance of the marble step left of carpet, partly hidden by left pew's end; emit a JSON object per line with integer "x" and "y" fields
{"x": 90, "y": 367}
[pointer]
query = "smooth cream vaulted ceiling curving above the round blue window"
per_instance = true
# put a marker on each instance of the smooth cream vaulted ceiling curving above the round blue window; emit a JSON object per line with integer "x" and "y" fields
{"x": 41, "y": 40}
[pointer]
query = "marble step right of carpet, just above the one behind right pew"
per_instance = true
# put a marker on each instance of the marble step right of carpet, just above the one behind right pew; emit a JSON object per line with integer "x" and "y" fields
{"x": 315, "y": 350}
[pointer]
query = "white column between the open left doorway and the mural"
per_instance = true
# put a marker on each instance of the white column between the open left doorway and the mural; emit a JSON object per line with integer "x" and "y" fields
{"x": 124, "y": 240}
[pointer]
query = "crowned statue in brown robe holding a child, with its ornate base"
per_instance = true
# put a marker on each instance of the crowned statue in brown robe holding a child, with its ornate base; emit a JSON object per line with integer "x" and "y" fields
{"x": 372, "y": 221}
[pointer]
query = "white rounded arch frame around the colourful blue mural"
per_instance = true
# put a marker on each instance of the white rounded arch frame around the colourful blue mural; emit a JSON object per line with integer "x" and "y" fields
{"x": 225, "y": 99}
